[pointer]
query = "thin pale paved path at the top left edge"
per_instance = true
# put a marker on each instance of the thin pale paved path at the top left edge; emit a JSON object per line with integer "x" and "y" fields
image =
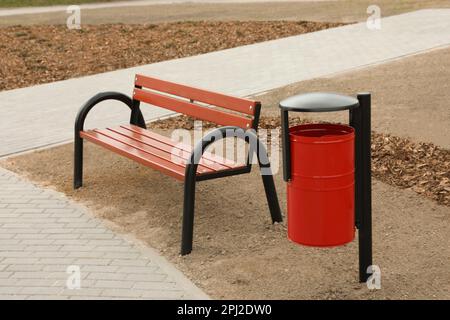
{"x": 121, "y": 4}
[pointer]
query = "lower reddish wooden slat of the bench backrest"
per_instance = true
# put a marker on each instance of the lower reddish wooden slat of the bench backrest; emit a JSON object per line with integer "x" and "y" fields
{"x": 191, "y": 109}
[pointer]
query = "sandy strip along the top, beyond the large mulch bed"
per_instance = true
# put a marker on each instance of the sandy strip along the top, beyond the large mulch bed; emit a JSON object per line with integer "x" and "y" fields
{"x": 336, "y": 11}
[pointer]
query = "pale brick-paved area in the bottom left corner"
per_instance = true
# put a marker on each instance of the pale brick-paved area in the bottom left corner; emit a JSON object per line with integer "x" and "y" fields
{"x": 42, "y": 233}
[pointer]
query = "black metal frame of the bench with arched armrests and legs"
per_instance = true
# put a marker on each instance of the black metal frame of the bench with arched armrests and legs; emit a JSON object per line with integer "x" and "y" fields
{"x": 191, "y": 175}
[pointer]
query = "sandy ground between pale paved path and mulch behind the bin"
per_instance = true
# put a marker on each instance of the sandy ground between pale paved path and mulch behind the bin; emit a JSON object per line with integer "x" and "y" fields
{"x": 410, "y": 96}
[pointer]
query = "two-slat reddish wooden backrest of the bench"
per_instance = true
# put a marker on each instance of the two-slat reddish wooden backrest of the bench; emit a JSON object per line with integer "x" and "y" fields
{"x": 214, "y": 107}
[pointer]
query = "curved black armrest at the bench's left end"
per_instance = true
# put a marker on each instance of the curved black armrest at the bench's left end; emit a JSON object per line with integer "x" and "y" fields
{"x": 136, "y": 115}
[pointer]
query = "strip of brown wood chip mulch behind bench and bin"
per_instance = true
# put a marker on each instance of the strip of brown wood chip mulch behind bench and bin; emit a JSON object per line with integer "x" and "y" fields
{"x": 421, "y": 167}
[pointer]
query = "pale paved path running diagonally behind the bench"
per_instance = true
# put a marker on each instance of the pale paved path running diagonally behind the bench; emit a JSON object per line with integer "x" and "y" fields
{"x": 44, "y": 114}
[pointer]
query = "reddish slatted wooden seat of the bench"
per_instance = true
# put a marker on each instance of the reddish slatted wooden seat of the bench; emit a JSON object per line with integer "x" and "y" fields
{"x": 155, "y": 150}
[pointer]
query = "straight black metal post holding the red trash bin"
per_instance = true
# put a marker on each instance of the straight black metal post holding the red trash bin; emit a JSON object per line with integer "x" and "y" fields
{"x": 364, "y": 184}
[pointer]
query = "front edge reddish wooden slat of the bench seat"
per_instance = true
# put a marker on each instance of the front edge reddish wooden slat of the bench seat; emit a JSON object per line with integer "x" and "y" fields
{"x": 144, "y": 158}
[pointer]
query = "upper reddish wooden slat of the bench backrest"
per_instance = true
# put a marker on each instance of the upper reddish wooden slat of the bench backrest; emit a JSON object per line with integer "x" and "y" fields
{"x": 217, "y": 99}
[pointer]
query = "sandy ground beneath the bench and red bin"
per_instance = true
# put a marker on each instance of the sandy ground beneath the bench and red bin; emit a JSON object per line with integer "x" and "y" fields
{"x": 237, "y": 253}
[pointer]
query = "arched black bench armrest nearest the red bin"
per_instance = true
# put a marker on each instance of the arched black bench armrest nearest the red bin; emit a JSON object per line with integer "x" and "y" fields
{"x": 249, "y": 136}
